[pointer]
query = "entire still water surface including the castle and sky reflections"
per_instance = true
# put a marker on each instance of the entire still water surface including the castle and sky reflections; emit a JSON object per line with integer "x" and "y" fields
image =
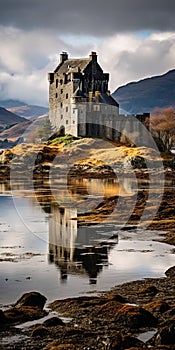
{"x": 66, "y": 241}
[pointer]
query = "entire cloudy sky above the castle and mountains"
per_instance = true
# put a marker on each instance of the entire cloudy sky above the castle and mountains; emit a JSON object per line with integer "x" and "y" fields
{"x": 133, "y": 39}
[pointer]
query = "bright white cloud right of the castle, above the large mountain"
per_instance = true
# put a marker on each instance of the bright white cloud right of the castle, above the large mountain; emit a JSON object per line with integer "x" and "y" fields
{"x": 128, "y": 57}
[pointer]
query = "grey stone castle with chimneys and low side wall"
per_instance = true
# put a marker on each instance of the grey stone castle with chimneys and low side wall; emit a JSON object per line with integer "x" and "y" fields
{"x": 80, "y": 103}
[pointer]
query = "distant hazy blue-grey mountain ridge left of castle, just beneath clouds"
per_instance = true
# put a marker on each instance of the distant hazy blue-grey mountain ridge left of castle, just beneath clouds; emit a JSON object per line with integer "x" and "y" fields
{"x": 23, "y": 109}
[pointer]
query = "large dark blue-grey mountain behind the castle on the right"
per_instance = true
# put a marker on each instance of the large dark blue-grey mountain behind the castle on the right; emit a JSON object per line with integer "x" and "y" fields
{"x": 147, "y": 94}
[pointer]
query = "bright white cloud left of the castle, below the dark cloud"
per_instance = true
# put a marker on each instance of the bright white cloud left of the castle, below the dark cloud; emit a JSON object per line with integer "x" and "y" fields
{"x": 25, "y": 59}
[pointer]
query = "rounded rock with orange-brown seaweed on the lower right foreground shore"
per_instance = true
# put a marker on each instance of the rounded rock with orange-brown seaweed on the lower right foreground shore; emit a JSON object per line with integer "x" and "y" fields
{"x": 134, "y": 317}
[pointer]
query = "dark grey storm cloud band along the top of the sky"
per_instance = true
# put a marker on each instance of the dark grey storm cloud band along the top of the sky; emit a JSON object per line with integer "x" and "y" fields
{"x": 91, "y": 17}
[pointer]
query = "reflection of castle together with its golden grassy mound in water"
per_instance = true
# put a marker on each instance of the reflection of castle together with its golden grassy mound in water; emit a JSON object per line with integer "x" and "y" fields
{"x": 79, "y": 243}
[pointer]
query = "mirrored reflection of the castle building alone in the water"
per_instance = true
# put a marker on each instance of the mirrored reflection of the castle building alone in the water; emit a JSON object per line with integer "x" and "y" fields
{"x": 74, "y": 248}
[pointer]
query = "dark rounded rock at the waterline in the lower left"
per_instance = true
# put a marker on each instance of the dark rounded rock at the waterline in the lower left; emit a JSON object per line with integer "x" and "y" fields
{"x": 32, "y": 299}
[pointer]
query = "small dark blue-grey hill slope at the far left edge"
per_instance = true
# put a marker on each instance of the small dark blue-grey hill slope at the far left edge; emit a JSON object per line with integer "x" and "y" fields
{"x": 8, "y": 118}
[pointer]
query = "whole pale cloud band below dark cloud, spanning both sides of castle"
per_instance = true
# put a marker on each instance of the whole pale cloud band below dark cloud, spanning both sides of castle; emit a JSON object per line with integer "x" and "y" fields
{"x": 27, "y": 56}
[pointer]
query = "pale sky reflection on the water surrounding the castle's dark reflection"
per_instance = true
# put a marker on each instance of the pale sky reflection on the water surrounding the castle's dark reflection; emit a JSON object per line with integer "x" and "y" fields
{"x": 130, "y": 259}
